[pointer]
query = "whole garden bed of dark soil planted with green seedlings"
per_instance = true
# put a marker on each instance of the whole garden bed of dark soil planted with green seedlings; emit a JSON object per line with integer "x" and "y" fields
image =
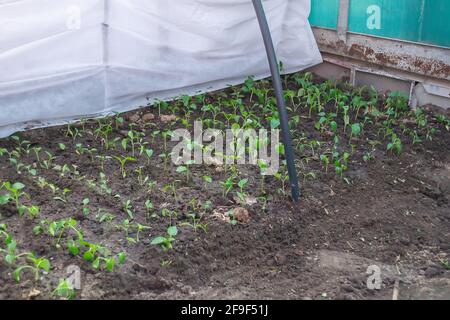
{"x": 374, "y": 176}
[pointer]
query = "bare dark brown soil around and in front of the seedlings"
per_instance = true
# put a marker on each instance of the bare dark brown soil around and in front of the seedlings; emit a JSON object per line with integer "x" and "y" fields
{"x": 393, "y": 211}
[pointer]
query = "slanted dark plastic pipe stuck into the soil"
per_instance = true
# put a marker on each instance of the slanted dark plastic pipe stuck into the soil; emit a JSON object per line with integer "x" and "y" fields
{"x": 277, "y": 85}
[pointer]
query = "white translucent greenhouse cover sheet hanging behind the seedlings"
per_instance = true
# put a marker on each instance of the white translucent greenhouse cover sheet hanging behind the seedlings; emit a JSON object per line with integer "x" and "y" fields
{"x": 62, "y": 60}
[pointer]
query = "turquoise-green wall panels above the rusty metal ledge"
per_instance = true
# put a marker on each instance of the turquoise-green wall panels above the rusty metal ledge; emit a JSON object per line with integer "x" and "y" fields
{"x": 423, "y": 21}
